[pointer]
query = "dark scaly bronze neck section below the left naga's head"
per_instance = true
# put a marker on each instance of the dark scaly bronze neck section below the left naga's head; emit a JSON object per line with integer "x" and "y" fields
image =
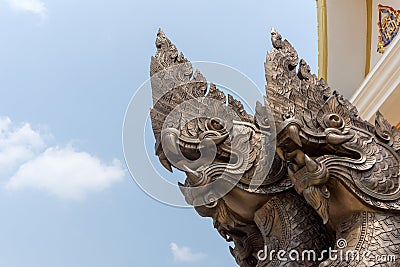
{"x": 299, "y": 228}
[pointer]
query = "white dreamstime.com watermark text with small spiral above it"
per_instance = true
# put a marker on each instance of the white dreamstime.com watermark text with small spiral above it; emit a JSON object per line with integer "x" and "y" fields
{"x": 340, "y": 253}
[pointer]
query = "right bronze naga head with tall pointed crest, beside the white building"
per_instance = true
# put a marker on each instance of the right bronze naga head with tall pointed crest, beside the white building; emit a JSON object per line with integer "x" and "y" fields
{"x": 339, "y": 162}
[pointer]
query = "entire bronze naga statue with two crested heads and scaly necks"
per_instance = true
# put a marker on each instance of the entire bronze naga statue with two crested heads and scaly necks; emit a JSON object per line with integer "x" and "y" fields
{"x": 303, "y": 182}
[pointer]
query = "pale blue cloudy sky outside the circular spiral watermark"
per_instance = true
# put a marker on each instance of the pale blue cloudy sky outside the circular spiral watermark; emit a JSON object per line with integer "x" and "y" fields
{"x": 68, "y": 70}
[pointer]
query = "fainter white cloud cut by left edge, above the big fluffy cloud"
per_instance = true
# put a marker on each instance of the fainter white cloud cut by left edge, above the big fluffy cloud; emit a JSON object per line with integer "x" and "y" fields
{"x": 17, "y": 144}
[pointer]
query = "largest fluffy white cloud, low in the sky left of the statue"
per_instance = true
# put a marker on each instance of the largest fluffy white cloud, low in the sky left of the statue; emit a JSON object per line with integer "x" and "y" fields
{"x": 66, "y": 173}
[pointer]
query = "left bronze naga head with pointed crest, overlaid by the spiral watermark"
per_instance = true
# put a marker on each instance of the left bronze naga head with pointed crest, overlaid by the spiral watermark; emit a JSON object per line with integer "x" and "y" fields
{"x": 209, "y": 135}
